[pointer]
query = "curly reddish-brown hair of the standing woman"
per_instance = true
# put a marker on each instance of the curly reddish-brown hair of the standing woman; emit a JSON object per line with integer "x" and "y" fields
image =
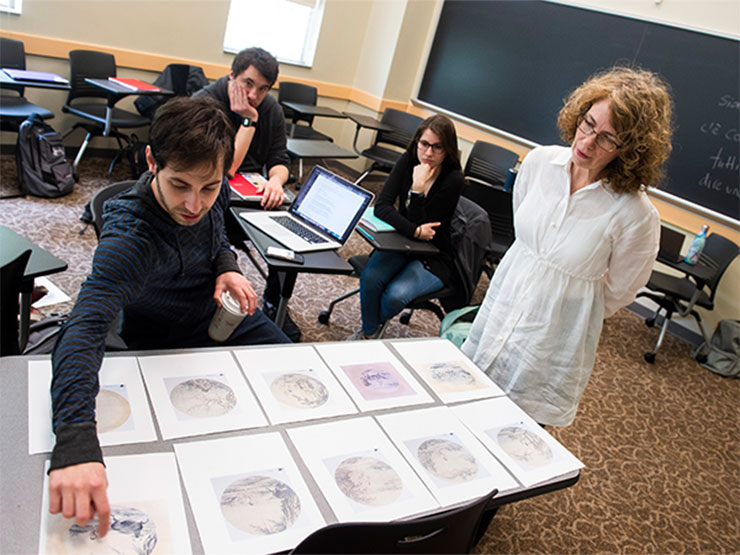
{"x": 640, "y": 110}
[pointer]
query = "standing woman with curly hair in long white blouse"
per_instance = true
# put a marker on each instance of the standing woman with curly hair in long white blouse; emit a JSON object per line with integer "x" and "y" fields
{"x": 586, "y": 240}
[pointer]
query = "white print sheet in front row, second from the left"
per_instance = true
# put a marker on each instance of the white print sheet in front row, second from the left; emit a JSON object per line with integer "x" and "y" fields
{"x": 247, "y": 494}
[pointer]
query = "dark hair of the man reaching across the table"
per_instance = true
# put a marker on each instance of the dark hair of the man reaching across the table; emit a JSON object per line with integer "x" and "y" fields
{"x": 187, "y": 132}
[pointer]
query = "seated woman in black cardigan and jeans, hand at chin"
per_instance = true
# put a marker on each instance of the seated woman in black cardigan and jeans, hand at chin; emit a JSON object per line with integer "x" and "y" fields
{"x": 425, "y": 184}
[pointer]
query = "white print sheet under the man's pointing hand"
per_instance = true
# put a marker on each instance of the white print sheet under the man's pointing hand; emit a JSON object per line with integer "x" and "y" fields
{"x": 147, "y": 512}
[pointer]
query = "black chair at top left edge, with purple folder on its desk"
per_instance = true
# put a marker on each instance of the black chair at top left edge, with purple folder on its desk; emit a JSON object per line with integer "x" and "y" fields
{"x": 15, "y": 108}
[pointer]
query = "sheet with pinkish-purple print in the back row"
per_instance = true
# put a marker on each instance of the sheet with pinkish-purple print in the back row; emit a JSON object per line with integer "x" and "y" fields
{"x": 373, "y": 376}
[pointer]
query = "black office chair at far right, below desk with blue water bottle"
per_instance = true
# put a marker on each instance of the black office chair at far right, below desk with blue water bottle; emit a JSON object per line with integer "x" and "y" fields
{"x": 680, "y": 295}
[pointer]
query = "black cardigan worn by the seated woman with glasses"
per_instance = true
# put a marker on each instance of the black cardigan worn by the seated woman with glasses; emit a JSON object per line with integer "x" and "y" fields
{"x": 437, "y": 206}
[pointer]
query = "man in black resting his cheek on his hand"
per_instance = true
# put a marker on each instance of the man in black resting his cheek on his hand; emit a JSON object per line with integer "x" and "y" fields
{"x": 260, "y": 141}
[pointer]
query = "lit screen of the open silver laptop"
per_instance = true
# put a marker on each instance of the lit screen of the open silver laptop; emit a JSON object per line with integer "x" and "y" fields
{"x": 331, "y": 203}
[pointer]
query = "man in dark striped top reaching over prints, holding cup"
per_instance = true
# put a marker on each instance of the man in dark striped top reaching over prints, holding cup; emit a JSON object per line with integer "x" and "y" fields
{"x": 163, "y": 258}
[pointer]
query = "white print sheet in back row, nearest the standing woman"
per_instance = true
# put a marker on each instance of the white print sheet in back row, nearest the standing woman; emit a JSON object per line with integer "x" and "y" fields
{"x": 445, "y": 369}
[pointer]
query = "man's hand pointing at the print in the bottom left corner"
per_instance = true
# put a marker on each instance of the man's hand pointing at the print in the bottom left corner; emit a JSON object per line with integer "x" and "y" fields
{"x": 80, "y": 491}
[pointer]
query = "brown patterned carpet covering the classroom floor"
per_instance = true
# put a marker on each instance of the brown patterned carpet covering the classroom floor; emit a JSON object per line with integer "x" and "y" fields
{"x": 661, "y": 443}
